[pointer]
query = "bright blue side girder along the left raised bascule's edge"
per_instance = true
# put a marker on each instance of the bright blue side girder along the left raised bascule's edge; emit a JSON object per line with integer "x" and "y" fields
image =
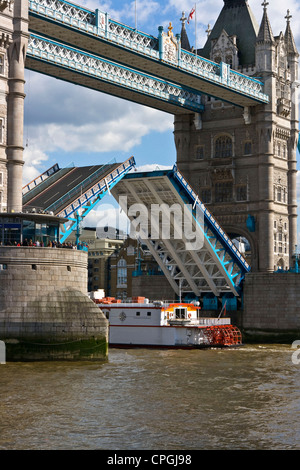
{"x": 77, "y": 208}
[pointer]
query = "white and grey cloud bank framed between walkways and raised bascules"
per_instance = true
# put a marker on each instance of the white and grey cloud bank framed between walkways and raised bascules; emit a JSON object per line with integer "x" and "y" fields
{"x": 62, "y": 117}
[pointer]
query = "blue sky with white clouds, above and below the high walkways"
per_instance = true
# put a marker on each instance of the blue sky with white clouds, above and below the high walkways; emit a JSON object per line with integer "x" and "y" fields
{"x": 67, "y": 124}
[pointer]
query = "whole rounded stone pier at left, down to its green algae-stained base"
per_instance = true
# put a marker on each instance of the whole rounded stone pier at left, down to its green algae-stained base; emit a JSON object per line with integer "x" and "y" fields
{"x": 45, "y": 313}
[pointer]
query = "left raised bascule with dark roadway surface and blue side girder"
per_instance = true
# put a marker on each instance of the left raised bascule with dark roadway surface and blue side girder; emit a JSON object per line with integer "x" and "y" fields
{"x": 73, "y": 192}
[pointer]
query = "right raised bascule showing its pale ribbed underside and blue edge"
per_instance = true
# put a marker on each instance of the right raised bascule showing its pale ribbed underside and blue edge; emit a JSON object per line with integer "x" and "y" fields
{"x": 211, "y": 263}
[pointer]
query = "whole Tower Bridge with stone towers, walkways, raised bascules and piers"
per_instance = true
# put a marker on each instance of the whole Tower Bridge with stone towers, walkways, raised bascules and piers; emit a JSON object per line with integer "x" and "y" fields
{"x": 236, "y": 130}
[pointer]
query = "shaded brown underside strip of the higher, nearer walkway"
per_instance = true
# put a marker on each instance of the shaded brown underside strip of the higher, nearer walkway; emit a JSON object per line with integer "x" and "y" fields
{"x": 104, "y": 48}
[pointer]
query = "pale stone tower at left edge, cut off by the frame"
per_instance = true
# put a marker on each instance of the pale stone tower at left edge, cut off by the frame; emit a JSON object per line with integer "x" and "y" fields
{"x": 13, "y": 44}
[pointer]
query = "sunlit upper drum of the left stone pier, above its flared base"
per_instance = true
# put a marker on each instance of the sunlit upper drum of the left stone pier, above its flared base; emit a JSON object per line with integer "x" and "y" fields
{"x": 27, "y": 272}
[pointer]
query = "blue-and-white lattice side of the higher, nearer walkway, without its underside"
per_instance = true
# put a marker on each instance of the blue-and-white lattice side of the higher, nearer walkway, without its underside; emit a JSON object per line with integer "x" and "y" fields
{"x": 98, "y": 25}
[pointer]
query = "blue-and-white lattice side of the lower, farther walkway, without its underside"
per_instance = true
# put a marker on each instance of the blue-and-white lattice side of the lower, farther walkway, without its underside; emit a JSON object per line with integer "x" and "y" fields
{"x": 62, "y": 56}
